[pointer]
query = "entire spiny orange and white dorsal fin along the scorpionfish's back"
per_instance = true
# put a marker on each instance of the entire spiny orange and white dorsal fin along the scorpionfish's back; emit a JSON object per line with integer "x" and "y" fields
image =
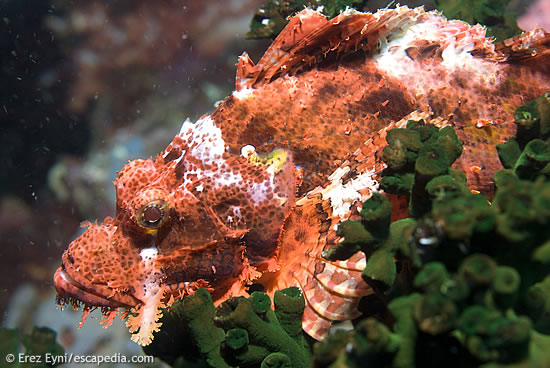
{"x": 309, "y": 37}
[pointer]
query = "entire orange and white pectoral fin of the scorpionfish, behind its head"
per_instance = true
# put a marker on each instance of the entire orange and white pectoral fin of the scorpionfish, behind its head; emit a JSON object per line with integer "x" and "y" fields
{"x": 332, "y": 289}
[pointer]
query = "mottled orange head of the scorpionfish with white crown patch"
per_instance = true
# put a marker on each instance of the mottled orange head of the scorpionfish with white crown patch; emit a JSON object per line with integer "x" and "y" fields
{"x": 195, "y": 216}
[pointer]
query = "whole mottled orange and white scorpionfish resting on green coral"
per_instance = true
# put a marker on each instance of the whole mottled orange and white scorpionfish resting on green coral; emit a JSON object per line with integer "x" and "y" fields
{"x": 254, "y": 191}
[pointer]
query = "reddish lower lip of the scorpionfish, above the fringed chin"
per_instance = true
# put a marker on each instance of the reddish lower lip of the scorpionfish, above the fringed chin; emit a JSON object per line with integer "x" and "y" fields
{"x": 69, "y": 288}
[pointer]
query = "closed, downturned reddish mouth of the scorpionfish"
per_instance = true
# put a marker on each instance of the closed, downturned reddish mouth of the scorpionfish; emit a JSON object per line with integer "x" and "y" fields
{"x": 70, "y": 290}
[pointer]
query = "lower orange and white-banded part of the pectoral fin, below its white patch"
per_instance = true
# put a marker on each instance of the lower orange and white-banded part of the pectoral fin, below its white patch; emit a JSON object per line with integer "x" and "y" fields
{"x": 332, "y": 289}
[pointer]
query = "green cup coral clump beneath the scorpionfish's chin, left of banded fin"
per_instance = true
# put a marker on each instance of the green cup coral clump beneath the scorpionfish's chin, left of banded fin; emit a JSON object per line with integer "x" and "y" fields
{"x": 241, "y": 332}
